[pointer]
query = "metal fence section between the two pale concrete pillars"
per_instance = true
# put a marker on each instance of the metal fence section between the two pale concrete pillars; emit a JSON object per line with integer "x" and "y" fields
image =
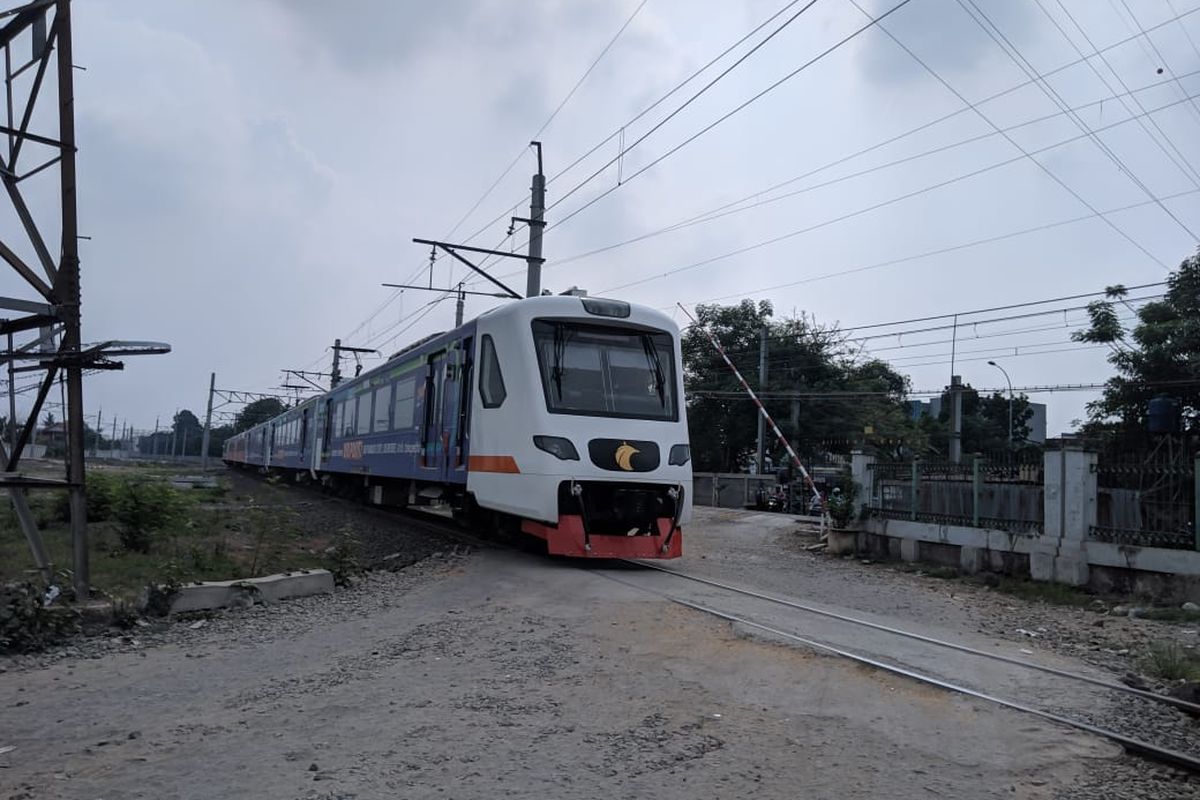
{"x": 1005, "y": 492}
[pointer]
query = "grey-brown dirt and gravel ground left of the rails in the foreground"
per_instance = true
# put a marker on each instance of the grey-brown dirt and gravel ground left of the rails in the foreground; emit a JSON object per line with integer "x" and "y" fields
{"x": 500, "y": 675}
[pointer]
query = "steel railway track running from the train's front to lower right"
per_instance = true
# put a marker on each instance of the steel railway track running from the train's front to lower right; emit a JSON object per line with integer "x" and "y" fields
{"x": 892, "y": 665}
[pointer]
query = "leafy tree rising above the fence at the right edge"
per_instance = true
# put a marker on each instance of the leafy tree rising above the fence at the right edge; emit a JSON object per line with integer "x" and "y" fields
{"x": 1161, "y": 356}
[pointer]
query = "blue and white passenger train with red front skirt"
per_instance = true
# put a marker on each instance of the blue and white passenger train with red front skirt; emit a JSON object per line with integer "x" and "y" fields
{"x": 560, "y": 418}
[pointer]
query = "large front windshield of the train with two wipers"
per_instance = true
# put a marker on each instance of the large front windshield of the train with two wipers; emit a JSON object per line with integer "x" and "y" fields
{"x": 598, "y": 371}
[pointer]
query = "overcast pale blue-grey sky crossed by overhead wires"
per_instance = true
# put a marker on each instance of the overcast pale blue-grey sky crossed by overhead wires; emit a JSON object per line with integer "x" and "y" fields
{"x": 251, "y": 173}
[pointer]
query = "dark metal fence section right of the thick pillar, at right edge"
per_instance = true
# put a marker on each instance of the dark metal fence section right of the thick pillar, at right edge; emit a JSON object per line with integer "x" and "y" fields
{"x": 1149, "y": 498}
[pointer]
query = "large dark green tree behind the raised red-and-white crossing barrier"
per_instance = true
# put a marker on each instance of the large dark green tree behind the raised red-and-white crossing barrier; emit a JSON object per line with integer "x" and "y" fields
{"x": 847, "y": 402}
